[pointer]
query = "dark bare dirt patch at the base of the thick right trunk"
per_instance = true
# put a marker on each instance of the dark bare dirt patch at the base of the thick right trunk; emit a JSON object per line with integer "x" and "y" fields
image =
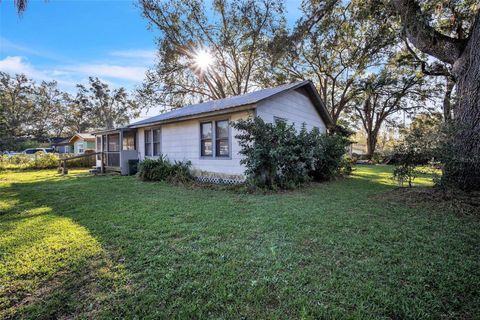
{"x": 460, "y": 202}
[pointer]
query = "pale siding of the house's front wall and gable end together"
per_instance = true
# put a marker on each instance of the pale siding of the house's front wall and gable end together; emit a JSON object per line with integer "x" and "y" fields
{"x": 181, "y": 140}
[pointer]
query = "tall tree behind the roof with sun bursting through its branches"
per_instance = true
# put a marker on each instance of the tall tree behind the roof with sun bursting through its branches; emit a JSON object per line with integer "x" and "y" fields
{"x": 208, "y": 56}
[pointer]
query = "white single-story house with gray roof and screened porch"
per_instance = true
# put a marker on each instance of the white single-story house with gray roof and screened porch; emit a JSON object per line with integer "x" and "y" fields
{"x": 202, "y": 133}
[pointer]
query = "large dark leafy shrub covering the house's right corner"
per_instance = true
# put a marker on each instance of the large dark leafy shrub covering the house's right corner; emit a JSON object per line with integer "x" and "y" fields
{"x": 276, "y": 156}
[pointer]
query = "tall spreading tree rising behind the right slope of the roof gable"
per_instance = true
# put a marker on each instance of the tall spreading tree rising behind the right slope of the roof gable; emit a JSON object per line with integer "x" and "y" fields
{"x": 337, "y": 51}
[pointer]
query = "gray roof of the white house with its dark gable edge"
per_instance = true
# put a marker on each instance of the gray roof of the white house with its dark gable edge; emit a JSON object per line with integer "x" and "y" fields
{"x": 247, "y": 99}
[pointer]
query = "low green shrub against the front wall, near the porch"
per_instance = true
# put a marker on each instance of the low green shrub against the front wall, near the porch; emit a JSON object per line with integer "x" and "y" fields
{"x": 162, "y": 170}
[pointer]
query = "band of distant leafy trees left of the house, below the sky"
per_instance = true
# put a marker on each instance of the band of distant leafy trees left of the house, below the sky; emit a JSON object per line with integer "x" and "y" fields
{"x": 39, "y": 111}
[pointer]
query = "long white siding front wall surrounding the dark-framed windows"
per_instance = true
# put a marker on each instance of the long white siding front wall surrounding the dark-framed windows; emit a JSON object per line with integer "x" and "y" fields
{"x": 181, "y": 141}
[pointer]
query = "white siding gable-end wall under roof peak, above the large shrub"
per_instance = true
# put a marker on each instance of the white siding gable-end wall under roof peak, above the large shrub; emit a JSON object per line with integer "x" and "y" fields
{"x": 294, "y": 106}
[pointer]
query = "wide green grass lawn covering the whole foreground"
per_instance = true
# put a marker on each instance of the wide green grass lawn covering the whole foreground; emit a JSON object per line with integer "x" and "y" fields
{"x": 102, "y": 247}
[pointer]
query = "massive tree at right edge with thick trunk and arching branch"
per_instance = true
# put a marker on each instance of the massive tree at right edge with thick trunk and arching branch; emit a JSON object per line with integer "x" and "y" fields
{"x": 462, "y": 52}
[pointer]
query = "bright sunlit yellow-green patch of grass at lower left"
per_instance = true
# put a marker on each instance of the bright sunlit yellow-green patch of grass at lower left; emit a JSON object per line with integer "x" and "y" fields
{"x": 50, "y": 266}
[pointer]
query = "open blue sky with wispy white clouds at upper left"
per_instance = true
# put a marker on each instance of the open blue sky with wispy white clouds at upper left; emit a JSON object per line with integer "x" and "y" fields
{"x": 70, "y": 40}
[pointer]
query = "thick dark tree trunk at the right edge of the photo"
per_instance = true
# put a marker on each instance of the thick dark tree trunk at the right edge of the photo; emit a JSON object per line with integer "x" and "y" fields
{"x": 464, "y": 168}
